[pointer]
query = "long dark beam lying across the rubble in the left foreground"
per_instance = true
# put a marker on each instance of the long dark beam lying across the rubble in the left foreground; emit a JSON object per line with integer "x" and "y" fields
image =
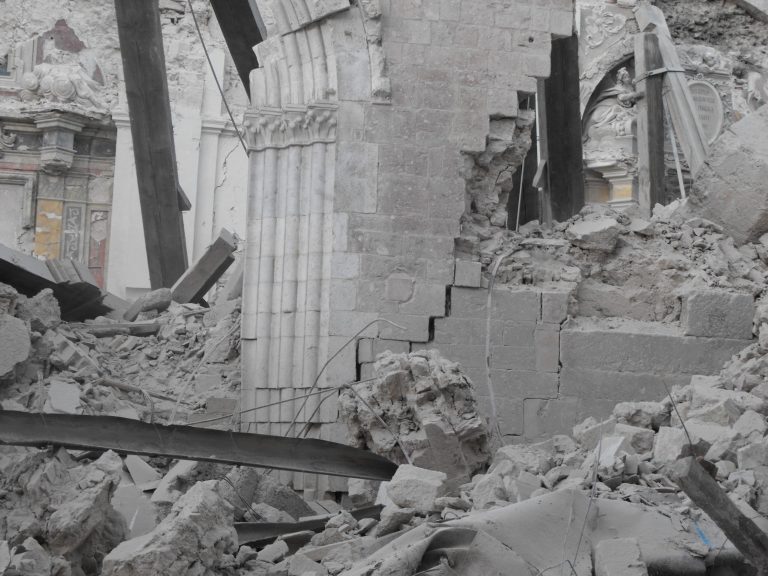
{"x": 190, "y": 443}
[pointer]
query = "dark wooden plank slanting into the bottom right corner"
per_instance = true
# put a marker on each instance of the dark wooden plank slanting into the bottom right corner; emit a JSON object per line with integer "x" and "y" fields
{"x": 702, "y": 489}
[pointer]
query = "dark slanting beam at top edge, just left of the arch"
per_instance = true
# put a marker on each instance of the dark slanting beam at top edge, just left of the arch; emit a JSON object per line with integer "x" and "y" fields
{"x": 241, "y": 32}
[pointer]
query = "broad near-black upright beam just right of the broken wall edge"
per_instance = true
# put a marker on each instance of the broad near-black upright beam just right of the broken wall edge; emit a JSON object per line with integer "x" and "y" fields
{"x": 563, "y": 124}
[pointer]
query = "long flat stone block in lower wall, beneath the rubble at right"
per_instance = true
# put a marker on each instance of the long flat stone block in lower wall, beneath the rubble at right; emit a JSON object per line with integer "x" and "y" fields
{"x": 642, "y": 347}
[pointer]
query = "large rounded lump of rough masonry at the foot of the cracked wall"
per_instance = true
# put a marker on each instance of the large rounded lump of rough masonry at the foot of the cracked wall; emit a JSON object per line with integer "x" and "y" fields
{"x": 420, "y": 404}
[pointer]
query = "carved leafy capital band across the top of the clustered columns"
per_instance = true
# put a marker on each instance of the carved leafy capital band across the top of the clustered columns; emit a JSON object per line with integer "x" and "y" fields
{"x": 290, "y": 126}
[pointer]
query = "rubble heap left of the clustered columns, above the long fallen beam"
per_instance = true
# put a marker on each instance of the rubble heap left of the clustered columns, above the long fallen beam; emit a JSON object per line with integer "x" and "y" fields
{"x": 111, "y": 367}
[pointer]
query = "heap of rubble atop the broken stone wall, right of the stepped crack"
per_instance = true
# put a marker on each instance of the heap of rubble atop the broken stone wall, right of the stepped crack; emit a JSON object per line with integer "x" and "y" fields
{"x": 618, "y": 264}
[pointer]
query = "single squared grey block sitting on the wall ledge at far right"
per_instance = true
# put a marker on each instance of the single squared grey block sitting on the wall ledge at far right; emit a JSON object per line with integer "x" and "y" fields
{"x": 716, "y": 313}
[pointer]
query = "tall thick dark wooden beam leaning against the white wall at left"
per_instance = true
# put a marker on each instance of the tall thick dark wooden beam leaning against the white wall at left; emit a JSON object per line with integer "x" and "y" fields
{"x": 146, "y": 87}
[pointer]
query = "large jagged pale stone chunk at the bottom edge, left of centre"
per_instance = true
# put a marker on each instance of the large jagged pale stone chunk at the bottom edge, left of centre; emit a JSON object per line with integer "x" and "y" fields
{"x": 194, "y": 538}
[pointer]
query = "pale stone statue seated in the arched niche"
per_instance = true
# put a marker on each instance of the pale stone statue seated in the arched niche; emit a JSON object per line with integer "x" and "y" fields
{"x": 614, "y": 112}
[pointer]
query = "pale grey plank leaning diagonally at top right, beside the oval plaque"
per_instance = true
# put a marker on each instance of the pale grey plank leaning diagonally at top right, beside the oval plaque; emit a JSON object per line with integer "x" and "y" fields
{"x": 677, "y": 95}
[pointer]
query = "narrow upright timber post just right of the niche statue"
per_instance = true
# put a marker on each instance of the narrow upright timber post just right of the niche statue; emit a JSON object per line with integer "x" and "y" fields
{"x": 650, "y": 121}
